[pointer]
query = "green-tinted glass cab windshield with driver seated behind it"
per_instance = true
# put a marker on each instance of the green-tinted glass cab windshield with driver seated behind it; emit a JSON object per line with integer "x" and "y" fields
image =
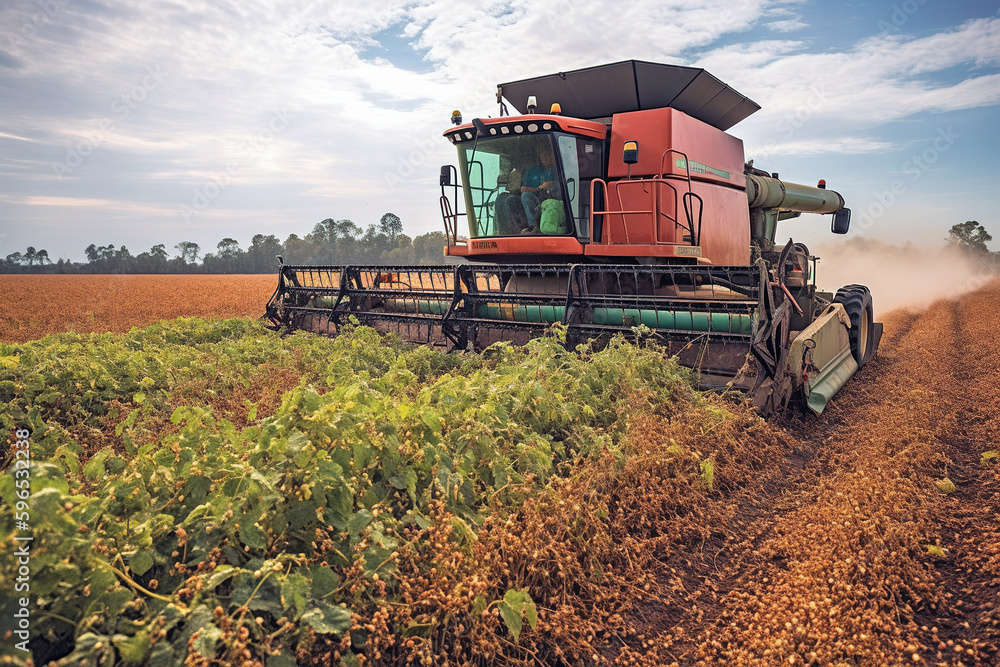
{"x": 521, "y": 184}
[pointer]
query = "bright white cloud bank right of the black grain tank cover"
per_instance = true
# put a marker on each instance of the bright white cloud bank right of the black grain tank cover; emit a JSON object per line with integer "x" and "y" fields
{"x": 819, "y": 102}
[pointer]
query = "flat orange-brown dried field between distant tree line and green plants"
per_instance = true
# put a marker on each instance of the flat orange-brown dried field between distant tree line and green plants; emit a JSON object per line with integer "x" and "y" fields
{"x": 36, "y": 306}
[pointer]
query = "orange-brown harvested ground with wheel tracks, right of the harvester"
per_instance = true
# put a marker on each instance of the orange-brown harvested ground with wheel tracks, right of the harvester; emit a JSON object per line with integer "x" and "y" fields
{"x": 833, "y": 568}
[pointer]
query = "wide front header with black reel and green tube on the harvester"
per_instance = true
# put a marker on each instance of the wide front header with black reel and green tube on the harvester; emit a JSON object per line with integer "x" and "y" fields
{"x": 716, "y": 320}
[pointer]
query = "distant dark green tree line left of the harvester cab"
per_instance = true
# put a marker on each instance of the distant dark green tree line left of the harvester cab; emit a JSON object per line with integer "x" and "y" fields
{"x": 330, "y": 242}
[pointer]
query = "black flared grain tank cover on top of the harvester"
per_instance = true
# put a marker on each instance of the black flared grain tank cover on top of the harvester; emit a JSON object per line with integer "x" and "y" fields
{"x": 634, "y": 85}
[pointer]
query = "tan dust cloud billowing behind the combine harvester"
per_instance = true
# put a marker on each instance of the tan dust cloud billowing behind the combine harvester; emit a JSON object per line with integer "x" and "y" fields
{"x": 906, "y": 277}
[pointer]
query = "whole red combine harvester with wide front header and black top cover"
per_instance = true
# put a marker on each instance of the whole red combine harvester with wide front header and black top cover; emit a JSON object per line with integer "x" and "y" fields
{"x": 625, "y": 208}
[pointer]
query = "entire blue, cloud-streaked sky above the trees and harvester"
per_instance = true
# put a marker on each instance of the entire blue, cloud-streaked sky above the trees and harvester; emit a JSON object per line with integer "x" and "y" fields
{"x": 192, "y": 120}
